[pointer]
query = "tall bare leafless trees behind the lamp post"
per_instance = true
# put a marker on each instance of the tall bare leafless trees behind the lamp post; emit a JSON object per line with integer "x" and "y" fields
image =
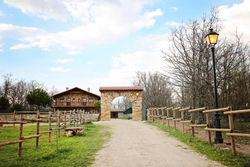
{"x": 189, "y": 65}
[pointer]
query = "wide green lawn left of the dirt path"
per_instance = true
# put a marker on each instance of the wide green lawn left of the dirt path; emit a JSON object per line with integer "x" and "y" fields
{"x": 72, "y": 151}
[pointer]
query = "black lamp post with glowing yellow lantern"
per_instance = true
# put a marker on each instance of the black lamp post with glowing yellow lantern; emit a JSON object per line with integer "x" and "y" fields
{"x": 211, "y": 39}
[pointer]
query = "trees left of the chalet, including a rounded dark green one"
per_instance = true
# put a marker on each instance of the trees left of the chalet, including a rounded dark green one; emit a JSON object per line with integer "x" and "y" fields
{"x": 22, "y": 95}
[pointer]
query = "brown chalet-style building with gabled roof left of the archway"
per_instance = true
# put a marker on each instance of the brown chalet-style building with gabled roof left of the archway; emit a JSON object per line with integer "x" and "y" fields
{"x": 75, "y": 98}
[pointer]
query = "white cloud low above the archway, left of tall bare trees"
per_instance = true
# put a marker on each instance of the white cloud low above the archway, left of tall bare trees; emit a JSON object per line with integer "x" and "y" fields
{"x": 147, "y": 59}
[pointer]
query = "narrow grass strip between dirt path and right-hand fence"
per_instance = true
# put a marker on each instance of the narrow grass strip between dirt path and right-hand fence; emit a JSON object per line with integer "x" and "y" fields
{"x": 223, "y": 156}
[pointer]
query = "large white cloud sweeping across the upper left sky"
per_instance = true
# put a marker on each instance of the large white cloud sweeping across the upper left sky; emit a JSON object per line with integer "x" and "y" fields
{"x": 99, "y": 21}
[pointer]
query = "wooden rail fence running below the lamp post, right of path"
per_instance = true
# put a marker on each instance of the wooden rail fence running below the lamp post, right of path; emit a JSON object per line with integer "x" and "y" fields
{"x": 160, "y": 116}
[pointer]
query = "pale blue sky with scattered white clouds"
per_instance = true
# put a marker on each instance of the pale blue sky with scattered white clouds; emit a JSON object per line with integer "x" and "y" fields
{"x": 93, "y": 43}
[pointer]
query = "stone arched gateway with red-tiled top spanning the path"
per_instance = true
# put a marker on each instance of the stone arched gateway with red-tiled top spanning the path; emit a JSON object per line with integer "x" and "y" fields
{"x": 134, "y": 94}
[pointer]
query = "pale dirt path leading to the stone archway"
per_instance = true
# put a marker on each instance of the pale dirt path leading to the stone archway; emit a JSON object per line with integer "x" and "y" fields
{"x": 134, "y": 143}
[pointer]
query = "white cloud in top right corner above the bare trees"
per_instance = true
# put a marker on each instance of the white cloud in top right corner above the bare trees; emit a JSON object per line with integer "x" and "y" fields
{"x": 235, "y": 18}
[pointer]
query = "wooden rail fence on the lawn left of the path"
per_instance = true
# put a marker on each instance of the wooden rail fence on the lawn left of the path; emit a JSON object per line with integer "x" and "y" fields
{"x": 74, "y": 117}
